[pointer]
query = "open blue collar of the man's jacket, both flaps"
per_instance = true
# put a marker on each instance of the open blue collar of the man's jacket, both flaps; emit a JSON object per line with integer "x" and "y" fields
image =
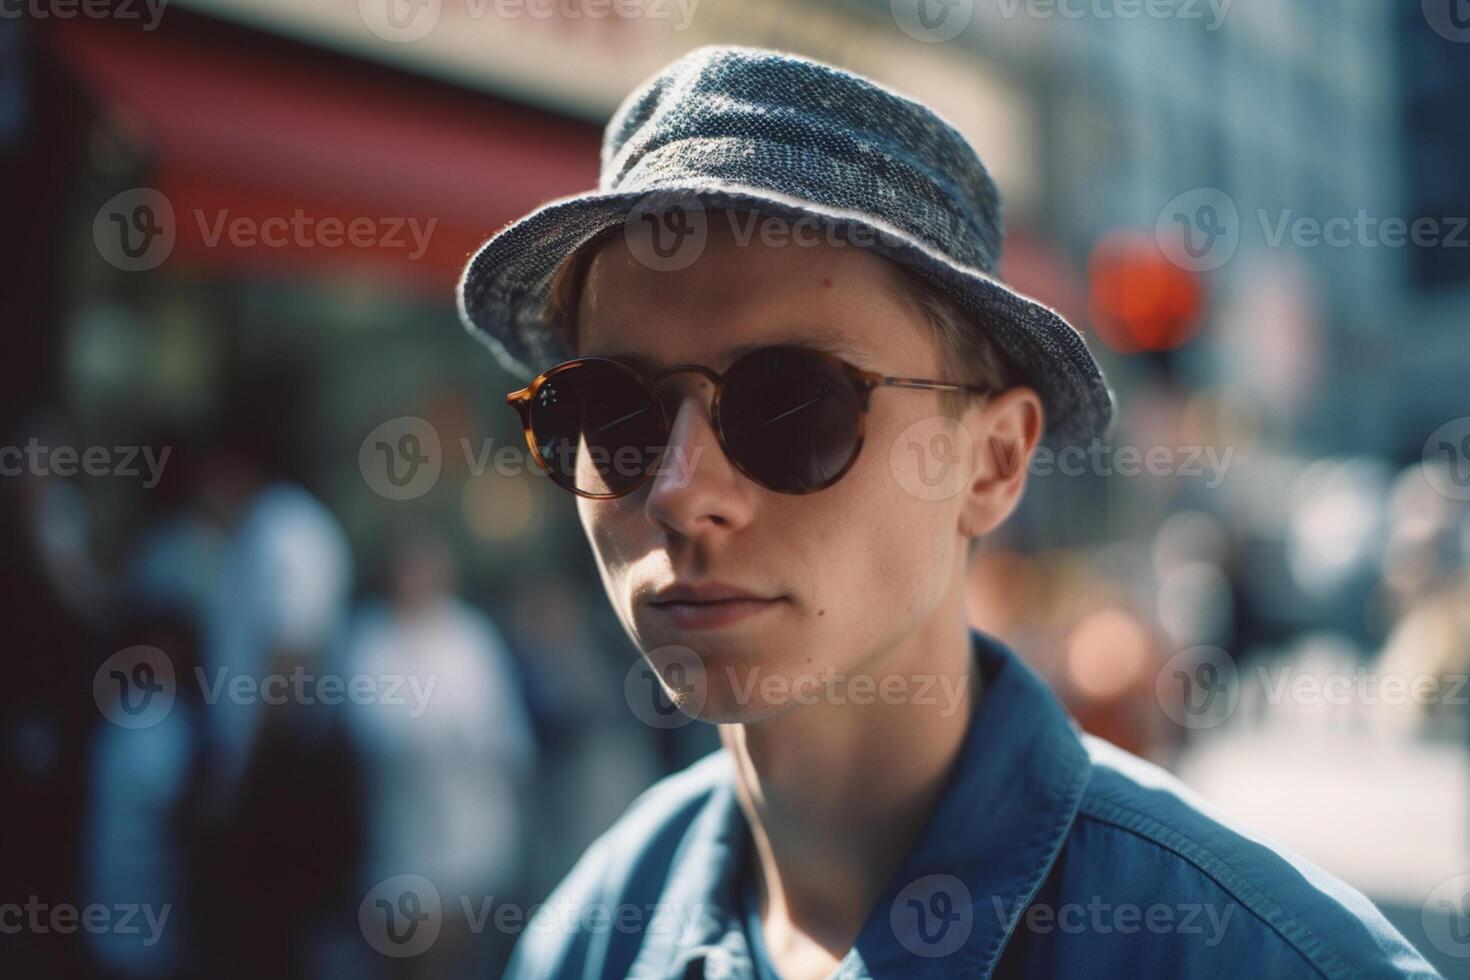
{"x": 956, "y": 897}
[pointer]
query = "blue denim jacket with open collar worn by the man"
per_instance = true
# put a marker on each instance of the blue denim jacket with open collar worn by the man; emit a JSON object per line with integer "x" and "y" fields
{"x": 1050, "y": 853}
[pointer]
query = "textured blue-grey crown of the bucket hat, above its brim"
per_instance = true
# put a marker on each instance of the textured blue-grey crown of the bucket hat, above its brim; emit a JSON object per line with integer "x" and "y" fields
{"x": 780, "y": 123}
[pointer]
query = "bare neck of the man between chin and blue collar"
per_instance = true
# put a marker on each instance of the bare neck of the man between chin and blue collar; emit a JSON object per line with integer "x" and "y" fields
{"x": 836, "y": 794}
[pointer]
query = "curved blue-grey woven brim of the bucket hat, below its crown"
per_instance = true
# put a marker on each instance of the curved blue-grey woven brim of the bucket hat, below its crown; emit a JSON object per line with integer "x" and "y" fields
{"x": 503, "y": 292}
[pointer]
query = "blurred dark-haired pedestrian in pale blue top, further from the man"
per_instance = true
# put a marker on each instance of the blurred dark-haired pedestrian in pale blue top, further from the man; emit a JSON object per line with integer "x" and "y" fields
{"x": 276, "y": 796}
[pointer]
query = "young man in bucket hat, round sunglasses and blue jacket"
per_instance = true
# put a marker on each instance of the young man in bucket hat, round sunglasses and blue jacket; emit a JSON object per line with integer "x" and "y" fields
{"x": 790, "y": 394}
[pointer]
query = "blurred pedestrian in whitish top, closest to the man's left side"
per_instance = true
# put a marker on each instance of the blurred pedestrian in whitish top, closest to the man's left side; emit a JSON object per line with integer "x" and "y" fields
{"x": 446, "y": 749}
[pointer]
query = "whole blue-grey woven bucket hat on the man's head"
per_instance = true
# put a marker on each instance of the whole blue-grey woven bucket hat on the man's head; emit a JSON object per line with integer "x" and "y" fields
{"x": 746, "y": 129}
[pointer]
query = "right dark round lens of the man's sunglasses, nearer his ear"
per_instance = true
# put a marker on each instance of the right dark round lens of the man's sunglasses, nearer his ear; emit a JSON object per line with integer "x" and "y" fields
{"x": 792, "y": 419}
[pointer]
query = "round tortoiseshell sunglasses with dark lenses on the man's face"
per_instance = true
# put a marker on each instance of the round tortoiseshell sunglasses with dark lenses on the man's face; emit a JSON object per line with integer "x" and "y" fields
{"x": 787, "y": 417}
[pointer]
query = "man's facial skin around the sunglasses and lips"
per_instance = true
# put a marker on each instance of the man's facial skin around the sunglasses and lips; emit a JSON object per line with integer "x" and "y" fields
{"x": 858, "y": 566}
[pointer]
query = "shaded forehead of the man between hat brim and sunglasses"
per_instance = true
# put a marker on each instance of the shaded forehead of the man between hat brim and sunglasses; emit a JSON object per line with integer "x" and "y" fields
{"x": 745, "y": 293}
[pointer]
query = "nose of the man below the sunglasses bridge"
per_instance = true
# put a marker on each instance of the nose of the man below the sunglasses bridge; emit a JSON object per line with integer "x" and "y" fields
{"x": 696, "y": 489}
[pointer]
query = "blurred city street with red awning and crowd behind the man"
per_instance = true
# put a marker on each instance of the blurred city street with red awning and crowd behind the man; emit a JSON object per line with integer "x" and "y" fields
{"x": 299, "y": 650}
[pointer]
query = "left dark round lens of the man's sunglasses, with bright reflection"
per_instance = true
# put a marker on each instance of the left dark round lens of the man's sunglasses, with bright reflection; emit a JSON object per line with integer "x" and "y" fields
{"x": 598, "y": 428}
